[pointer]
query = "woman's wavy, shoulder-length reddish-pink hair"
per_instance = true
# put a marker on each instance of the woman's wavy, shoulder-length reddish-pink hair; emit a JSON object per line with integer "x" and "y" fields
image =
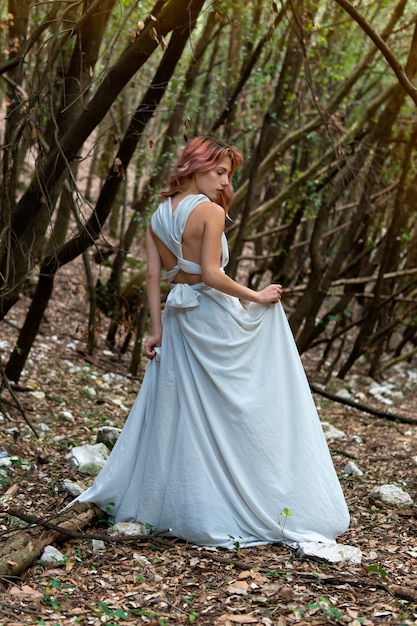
{"x": 200, "y": 155}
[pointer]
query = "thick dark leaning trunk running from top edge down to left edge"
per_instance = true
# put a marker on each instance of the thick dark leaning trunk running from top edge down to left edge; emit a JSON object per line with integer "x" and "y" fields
{"x": 177, "y": 14}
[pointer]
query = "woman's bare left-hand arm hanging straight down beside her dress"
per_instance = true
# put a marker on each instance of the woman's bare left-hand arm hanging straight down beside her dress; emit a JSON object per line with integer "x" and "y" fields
{"x": 153, "y": 286}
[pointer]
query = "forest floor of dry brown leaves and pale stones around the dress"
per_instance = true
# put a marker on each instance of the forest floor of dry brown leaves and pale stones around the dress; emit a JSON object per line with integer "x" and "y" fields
{"x": 164, "y": 582}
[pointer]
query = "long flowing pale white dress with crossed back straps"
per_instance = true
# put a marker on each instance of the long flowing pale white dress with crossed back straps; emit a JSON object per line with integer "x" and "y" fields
{"x": 223, "y": 444}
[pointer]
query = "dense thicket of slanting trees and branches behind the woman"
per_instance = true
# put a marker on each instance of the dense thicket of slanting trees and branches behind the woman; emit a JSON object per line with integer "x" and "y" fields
{"x": 98, "y": 95}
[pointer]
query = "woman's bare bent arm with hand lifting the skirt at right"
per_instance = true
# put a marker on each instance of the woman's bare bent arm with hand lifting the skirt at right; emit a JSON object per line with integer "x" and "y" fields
{"x": 210, "y": 263}
